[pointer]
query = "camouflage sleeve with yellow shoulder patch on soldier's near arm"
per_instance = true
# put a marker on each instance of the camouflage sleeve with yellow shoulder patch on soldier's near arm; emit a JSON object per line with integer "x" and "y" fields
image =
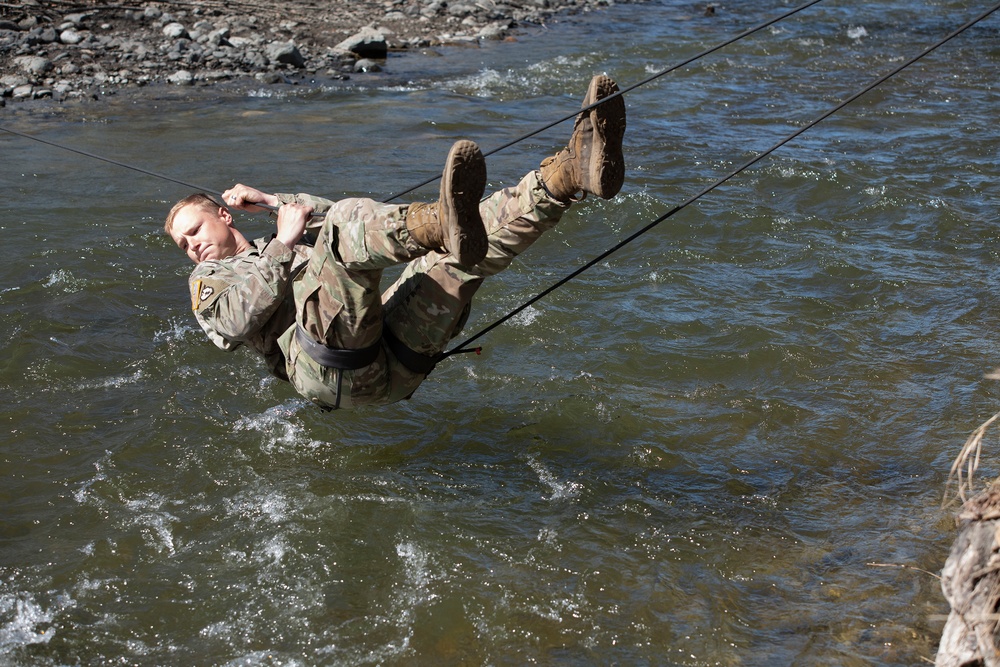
{"x": 233, "y": 298}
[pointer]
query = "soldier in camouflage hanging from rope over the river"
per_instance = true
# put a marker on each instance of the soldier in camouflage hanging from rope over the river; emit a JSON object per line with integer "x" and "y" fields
{"x": 315, "y": 314}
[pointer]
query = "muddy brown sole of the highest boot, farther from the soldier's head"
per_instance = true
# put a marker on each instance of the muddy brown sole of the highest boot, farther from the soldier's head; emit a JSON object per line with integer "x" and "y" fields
{"x": 606, "y": 170}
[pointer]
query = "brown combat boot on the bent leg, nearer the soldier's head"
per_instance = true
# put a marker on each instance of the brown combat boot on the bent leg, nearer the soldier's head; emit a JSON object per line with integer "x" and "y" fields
{"x": 453, "y": 223}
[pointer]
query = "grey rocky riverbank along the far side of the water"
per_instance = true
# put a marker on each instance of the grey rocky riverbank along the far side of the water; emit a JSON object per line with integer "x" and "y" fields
{"x": 65, "y": 50}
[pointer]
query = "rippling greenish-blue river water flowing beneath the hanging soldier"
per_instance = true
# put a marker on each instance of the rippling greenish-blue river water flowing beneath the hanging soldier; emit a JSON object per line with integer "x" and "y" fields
{"x": 726, "y": 444}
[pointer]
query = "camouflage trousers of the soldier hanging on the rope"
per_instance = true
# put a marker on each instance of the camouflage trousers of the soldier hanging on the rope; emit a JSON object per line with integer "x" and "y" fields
{"x": 338, "y": 301}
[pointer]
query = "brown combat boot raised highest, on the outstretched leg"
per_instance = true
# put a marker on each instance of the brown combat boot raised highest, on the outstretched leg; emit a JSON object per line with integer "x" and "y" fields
{"x": 592, "y": 162}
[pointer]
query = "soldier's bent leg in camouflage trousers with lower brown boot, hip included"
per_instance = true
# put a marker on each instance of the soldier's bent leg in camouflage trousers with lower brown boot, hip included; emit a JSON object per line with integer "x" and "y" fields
{"x": 335, "y": 351}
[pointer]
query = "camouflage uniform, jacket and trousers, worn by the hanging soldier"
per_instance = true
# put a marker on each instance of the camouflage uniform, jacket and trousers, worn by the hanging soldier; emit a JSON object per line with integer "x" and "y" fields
{"x": 269, "y": 297}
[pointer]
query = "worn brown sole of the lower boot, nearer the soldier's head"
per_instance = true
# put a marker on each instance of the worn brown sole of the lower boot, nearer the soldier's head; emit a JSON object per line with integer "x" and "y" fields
{"x": 462, "y": 185}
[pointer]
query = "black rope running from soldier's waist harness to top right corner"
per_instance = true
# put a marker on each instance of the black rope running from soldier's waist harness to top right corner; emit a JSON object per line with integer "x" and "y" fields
{"x": 746, "y": 165}
